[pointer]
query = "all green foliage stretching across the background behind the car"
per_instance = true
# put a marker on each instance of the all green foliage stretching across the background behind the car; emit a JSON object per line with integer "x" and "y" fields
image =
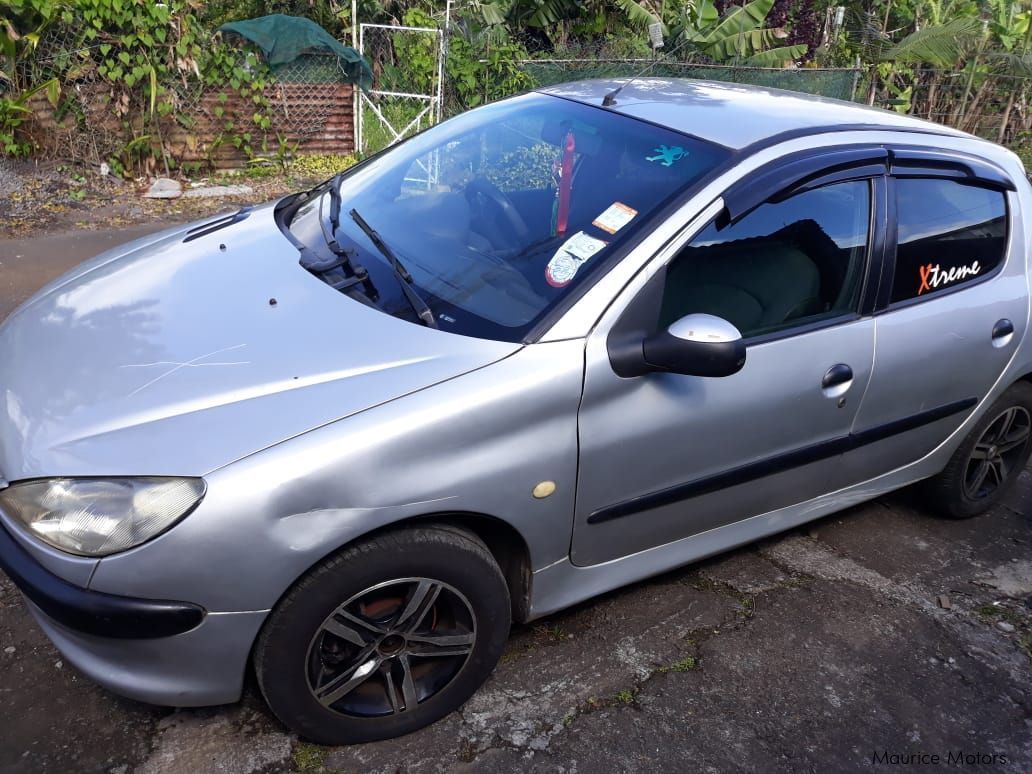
{"x": 962, "y": 62}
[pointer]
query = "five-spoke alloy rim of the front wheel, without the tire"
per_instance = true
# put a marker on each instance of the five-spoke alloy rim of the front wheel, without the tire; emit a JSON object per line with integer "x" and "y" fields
{"x": 391, "y": 648}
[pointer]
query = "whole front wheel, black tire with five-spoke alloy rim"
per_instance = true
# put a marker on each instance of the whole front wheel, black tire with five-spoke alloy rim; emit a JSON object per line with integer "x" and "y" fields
{"x": 393, "y": 633}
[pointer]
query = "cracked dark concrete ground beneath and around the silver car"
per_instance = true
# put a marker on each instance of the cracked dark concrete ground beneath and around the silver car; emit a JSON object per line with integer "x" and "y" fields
{"x": 869, "y": 636}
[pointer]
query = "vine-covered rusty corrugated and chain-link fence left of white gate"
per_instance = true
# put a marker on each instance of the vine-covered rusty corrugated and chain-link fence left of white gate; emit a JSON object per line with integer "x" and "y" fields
{"x": 309, "y": 104}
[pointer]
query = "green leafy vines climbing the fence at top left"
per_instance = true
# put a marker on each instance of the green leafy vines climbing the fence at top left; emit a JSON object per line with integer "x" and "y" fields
{"x": 139, "y": 61}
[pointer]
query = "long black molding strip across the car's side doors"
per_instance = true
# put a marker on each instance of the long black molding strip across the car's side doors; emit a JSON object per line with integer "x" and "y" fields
{"x": 778, "y": 464}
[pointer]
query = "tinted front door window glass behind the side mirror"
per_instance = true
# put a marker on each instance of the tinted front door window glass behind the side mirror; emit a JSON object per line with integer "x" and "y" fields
{"x": 787, "y": 264}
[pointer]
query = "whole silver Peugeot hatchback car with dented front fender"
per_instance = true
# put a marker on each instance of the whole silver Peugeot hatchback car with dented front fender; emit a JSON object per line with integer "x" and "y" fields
{"x": 546, "y": 348}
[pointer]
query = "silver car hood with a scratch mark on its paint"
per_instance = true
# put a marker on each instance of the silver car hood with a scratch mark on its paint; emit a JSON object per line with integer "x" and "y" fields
{"x": 175, "y": 358}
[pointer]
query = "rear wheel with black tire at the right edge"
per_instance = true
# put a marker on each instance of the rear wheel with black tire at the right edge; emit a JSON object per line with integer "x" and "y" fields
{"x": 1005, "y": 434}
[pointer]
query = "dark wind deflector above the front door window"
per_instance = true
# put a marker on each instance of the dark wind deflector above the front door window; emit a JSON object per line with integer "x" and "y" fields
{"x": 799, "y": 172}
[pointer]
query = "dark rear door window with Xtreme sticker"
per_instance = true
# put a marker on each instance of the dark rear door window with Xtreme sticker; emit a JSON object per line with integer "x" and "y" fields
{"x": 950, "y": 235}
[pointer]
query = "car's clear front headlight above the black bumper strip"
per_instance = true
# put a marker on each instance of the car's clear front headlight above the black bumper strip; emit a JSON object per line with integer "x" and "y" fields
{"x": 96, "y": 518}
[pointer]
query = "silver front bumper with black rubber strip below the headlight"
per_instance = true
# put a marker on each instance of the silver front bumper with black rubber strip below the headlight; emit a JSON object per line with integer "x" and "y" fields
{"x": 158, "y": 652}
